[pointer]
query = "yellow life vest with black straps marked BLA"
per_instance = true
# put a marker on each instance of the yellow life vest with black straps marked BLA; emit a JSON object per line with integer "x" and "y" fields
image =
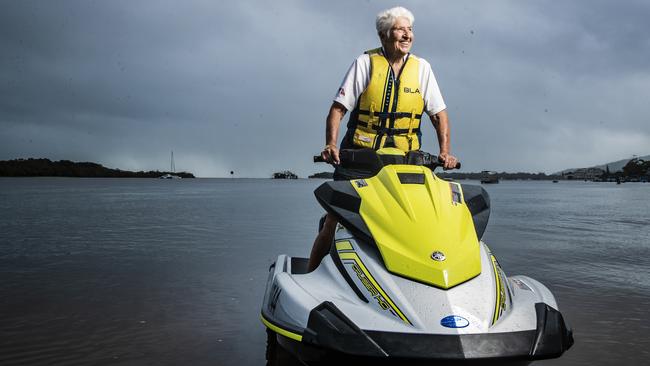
{"x": 388, "y": 112}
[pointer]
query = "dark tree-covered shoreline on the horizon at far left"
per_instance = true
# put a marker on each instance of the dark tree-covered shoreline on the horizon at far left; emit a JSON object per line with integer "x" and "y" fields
{"x": 65, "y": 168}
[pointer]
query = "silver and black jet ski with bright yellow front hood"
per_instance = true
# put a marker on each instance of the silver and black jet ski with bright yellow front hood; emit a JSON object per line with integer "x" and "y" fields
{"x": 407, "y": 279}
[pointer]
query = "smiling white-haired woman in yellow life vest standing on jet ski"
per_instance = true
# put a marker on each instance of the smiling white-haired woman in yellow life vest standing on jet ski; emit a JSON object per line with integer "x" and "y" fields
{"x": 387, "y": 89}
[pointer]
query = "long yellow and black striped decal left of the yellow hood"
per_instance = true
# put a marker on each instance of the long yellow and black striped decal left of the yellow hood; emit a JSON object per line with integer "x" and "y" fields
{"x": 350, "y": 257}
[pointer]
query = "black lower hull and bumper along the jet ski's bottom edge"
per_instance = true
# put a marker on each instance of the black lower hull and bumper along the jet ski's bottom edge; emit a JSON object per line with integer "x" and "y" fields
{"x": 329, "y": 335}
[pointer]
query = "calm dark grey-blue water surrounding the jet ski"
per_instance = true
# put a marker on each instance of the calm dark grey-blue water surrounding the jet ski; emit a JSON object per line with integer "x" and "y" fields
{"x": 160, "y": 272}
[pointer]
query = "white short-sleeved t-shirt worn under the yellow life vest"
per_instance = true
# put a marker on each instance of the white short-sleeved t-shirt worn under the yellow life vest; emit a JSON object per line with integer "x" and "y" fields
{"x": 358, "y": 77}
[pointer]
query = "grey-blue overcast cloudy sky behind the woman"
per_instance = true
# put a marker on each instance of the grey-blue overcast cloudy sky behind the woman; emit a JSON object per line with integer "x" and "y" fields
{"x": 246, "y": 85}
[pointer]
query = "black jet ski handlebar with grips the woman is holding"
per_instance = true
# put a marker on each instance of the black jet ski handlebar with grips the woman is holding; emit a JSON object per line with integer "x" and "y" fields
{"x": 369, "y": 159}
